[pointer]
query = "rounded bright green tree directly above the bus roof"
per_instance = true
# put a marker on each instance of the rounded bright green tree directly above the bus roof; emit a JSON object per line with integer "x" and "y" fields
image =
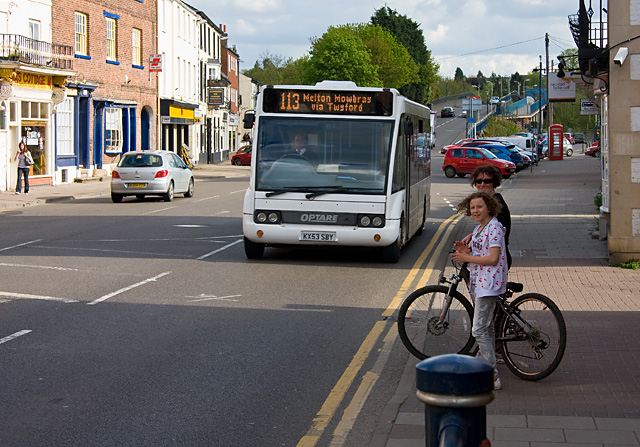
{"x": 340, "y": 55}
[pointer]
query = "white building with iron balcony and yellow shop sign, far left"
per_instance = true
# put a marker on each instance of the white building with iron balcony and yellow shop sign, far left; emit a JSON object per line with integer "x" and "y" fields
{"x": 32, "y": 75}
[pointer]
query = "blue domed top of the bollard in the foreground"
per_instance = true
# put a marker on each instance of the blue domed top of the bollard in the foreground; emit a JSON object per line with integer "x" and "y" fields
{"x": 454, "y": 374}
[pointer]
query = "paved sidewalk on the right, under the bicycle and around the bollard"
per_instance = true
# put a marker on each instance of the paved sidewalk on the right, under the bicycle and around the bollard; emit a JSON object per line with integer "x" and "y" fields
{"x": 593, "y": 398}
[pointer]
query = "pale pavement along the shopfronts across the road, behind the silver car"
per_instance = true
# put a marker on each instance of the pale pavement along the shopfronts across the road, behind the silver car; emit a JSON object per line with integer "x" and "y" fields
{"x": 100, "y": 186}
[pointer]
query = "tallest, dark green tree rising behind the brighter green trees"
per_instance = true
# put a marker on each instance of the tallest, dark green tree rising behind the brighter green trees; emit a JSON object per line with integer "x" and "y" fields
{"x": 409, "y": 34}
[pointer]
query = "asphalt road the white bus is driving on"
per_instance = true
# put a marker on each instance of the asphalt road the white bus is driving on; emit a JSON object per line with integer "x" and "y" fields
{"x": 143, "y": 323}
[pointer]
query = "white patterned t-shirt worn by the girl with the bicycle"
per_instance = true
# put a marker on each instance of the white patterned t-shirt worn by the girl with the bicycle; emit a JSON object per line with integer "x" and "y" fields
{"x": 488, "y": 280}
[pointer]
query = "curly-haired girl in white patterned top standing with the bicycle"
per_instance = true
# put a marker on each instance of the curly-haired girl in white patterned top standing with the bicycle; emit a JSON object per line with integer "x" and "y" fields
{"x": 488, "y": 266}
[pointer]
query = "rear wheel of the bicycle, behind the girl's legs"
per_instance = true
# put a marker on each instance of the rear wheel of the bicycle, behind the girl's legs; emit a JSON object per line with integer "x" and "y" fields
{"x": 533, "y": 347}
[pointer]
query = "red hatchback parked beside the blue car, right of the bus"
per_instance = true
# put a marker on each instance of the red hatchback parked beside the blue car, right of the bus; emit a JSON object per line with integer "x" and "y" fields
{"x": 461, "y": 161}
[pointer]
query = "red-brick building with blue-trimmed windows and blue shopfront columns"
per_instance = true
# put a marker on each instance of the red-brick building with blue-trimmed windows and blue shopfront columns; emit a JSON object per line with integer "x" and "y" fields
{"x": 112, "y": 100}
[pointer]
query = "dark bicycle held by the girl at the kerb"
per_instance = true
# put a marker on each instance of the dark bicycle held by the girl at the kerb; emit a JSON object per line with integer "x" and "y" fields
{"x": 530, "y": 331}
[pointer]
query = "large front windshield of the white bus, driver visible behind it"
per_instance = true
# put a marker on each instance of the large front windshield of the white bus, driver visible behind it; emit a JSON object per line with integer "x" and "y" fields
{"x": 323, "y": 155}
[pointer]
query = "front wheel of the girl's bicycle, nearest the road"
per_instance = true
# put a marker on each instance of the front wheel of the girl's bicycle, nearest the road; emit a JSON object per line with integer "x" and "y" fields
{"x": 427, "y": 330}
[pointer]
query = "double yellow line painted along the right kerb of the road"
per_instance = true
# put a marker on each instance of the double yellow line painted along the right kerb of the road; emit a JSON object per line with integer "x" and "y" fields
{"x": 337, "y": 394}
